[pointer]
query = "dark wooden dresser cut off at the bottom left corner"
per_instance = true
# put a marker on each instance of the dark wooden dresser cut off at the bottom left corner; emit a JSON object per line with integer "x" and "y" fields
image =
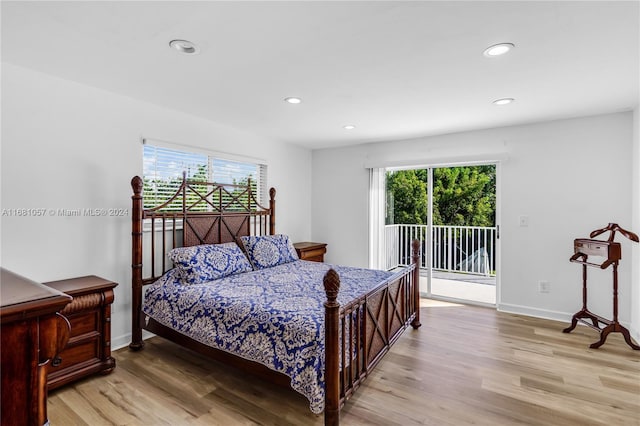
{"x": 32, "y": 333}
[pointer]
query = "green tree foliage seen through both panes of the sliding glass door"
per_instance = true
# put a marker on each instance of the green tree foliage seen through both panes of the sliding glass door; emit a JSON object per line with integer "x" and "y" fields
{"x": 463, "y": 196}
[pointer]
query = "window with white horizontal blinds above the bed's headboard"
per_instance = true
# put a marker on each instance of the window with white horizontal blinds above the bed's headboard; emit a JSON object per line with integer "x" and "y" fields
{"x": 163, "y": 168}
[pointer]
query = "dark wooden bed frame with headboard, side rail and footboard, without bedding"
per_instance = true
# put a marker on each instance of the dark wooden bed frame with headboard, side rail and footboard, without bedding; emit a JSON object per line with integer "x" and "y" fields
{"x": 210, "y": 213}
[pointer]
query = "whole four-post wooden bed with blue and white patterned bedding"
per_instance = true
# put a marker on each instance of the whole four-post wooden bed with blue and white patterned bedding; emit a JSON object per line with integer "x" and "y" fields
{"x": 317, "y": 328}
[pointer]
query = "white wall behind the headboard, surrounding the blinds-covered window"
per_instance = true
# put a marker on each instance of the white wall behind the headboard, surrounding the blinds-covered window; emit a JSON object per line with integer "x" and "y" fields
{"x": 69, "y": 146}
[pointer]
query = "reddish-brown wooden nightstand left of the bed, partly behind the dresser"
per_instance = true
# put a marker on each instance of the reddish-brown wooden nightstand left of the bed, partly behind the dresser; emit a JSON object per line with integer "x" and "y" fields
{"x": 89, "y": 313}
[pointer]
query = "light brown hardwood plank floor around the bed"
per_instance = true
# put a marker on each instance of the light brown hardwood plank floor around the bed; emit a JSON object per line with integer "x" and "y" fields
{"x": 465, "y": 365}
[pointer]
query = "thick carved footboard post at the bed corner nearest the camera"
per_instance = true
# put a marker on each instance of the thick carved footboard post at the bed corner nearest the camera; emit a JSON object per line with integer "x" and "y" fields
{"x": 332, "y": 367}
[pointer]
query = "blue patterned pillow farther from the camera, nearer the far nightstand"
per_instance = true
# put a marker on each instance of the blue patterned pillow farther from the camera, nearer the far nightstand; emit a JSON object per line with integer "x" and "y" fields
{"x": 266, "y": 251}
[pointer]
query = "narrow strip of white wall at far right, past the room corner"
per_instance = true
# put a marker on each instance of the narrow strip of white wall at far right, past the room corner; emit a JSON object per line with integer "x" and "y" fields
{"x": 635, "y": 255}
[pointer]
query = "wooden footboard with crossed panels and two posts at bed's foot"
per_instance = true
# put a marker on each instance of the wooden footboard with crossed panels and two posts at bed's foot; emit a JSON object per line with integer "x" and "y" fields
{"x": 358, "y": 334}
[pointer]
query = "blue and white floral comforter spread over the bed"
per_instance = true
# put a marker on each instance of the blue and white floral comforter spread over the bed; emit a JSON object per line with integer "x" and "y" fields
{"x": 273, "y": 316}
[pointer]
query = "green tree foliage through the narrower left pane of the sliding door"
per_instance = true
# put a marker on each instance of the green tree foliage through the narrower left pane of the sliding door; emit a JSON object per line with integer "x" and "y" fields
{"x": 407, "y": 203}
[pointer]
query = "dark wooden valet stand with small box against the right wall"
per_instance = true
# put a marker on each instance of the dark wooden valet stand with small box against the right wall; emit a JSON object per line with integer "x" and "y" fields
{"x": 612, "y": 252}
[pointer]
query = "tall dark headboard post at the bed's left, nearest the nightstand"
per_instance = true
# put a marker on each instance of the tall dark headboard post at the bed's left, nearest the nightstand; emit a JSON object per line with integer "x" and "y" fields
{"x": 136, "y": 264}
